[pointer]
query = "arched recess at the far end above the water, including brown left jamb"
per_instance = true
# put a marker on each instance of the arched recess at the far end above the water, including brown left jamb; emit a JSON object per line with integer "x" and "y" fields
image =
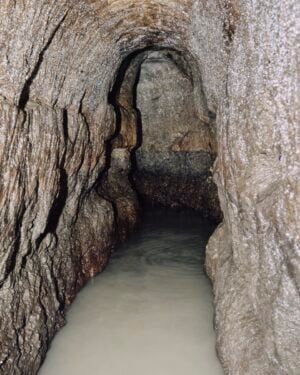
{"x": 164, "y": 145}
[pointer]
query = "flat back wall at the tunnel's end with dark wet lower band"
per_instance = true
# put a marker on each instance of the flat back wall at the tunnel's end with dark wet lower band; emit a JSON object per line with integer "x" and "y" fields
{"x": 177, "y": 147}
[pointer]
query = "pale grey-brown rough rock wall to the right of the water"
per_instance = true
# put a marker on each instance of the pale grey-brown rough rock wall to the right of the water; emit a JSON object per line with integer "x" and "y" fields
{"x": 253, "y": 257}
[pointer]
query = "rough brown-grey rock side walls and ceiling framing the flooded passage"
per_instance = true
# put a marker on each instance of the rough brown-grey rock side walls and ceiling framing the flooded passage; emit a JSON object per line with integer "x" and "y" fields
{"x": 65, "y": 197}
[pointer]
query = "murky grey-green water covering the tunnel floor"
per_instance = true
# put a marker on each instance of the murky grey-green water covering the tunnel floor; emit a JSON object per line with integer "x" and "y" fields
{"x": 149, "y": 313}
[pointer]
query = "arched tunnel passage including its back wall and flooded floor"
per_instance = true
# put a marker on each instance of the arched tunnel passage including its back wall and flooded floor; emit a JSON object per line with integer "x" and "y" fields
{"x": 158, "y": 177}
